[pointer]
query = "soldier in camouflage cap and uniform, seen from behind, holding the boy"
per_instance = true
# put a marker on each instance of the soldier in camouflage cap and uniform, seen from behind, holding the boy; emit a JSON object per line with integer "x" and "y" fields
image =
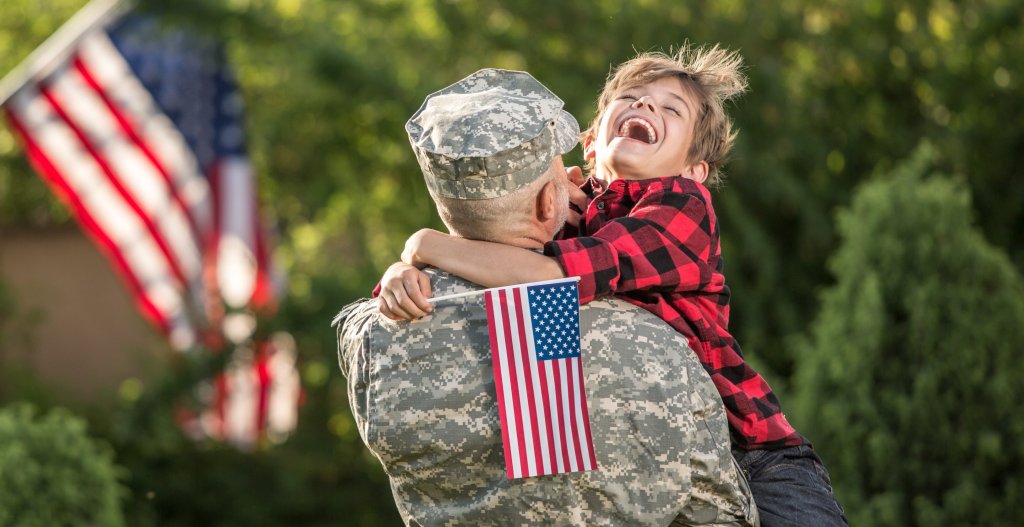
{"x": 423, "y": 393}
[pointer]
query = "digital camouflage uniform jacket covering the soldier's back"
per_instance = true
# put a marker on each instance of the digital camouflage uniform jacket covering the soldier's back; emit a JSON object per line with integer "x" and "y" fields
{"x": 423, "y": 398}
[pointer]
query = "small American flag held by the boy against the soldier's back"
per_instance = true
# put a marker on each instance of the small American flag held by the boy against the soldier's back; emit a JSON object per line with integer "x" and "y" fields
{"x": 535, "y": 343}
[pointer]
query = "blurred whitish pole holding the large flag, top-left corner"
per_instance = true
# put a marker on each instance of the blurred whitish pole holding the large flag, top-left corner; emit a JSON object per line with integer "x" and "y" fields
{"x": 57, "y": 48}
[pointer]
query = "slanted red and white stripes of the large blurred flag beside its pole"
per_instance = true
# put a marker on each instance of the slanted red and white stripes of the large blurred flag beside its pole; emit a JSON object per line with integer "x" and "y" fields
{"x": 93, "y": 156}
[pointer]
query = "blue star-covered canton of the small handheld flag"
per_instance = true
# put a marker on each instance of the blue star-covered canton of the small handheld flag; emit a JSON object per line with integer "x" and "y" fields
{"x": 556, "y": 317}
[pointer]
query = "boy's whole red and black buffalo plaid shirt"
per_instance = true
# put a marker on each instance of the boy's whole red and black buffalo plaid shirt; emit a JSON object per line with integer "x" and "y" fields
{"x": 656, "y": 244}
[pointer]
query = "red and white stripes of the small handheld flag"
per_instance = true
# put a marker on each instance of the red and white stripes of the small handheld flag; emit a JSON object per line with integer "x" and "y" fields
{"x": 542, "y": 403}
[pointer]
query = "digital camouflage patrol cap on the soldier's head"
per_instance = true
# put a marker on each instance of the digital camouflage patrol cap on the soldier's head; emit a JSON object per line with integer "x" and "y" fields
{"x": 490, "y": 135}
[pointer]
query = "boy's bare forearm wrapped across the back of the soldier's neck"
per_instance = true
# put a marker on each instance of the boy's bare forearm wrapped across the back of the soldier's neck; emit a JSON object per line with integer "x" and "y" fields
{"x": 487, "y": 263}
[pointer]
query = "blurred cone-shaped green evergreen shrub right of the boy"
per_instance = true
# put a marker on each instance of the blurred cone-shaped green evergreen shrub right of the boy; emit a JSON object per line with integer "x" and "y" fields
{"x": 910, "y": 379}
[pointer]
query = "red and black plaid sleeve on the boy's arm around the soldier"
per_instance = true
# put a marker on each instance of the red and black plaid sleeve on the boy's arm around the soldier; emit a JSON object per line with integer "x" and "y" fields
{"x": 663, "y": 245}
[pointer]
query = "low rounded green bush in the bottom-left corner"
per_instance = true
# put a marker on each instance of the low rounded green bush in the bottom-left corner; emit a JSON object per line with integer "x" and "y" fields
{"x": 53, "y": 473}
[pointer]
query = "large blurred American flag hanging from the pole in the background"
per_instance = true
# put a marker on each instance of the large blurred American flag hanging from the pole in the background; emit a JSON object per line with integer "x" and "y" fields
{"x": 138, "y": 128}
